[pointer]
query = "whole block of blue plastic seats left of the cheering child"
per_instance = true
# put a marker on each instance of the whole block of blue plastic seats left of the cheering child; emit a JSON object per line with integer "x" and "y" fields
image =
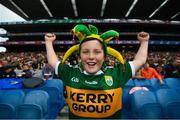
{"x": 43, "y": 102}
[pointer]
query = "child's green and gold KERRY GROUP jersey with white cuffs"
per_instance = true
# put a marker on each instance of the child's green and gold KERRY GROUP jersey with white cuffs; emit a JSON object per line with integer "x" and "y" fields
{"x": 95, "y": 96}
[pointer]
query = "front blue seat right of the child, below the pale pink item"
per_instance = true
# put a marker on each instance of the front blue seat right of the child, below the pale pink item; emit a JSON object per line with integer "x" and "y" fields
{"x": 144, "y": 105}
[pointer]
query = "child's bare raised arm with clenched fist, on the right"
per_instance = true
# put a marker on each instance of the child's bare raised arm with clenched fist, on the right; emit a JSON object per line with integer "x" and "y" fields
{"x": 141, "y": 55}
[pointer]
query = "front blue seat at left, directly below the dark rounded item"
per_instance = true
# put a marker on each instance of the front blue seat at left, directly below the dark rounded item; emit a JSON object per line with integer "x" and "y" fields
{"x": 37, "y": 103}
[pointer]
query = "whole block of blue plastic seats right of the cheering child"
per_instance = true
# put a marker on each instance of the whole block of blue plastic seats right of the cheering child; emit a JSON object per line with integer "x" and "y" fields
{"x": 158, "y": 102}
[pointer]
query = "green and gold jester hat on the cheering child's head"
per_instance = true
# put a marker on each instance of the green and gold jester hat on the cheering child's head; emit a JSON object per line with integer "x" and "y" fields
{"x": 84, "y": 33}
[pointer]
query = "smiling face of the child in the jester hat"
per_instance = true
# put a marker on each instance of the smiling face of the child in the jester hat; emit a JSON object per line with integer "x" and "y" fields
{"x": 92, "y": 56}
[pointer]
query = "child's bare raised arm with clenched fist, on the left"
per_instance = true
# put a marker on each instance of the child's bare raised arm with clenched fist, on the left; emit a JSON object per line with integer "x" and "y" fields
{"x": 51, "y": 55}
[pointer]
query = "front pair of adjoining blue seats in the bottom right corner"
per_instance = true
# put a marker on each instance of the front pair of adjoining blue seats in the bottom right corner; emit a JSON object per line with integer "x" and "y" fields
{"x": 165, "y": 103}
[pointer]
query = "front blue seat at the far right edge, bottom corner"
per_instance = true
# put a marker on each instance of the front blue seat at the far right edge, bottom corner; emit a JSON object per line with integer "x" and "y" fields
{"x": 168, "y": 98}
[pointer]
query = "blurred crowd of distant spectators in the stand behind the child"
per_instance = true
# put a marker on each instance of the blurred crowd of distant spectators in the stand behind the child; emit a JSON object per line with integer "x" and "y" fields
{"x": 28, "y": 64}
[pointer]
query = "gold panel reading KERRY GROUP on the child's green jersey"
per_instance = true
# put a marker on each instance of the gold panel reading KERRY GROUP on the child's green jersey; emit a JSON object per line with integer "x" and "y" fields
{"x": 94, "y": 103}
